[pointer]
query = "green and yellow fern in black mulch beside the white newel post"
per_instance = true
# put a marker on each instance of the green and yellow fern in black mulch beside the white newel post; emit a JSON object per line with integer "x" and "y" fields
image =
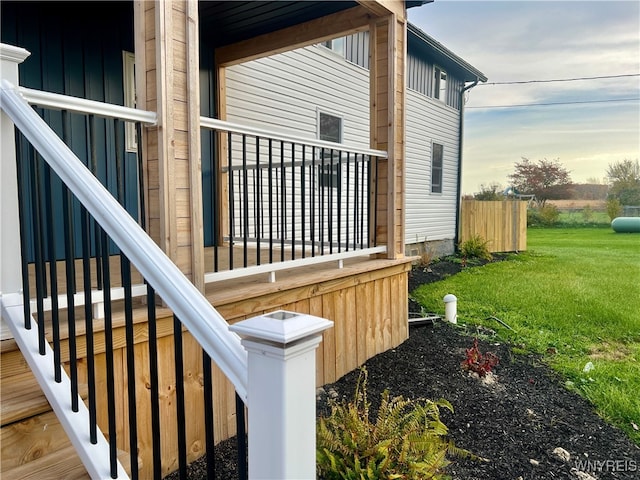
{"x": 407, "y": 440}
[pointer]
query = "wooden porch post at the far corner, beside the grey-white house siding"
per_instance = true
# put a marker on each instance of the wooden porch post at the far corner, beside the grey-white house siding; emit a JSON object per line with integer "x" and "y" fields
{"x": 388, "y": 51}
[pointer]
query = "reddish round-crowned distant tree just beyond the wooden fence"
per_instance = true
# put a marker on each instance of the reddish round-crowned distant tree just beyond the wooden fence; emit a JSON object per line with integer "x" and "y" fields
{"x": 546, "y": 179}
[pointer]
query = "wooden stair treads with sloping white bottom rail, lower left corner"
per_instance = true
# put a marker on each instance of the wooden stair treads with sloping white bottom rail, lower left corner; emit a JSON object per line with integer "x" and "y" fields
{"x": 41, "y": 437}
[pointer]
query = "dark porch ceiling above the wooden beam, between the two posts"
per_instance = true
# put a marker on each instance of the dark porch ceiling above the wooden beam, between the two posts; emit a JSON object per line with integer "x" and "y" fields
{"x": 228, "y": 22}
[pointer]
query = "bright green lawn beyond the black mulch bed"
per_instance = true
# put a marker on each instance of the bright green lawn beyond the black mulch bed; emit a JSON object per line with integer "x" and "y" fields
{"x": 574, "y": 297}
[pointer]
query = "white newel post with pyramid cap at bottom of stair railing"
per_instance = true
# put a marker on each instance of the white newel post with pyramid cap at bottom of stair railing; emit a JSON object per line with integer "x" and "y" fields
{"x": 281, "y": 393}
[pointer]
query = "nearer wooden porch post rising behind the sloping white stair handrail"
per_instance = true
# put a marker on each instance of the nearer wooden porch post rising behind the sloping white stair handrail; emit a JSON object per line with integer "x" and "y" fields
{"x": 166, "y": 42}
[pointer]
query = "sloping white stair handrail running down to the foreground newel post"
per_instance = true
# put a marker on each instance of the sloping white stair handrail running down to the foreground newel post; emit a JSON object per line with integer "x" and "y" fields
{"x": 182, "y": 297}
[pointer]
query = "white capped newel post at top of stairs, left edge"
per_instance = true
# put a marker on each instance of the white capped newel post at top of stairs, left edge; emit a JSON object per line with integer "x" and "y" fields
{"x": 10, "y": 255}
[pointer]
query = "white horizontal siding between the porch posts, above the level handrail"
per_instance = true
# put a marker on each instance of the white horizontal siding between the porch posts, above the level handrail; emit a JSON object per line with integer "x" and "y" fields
{"x": 283, "y": 92}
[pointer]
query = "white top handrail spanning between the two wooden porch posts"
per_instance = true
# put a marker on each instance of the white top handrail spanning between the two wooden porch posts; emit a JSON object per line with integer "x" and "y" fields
{"x": 215, "y": 124}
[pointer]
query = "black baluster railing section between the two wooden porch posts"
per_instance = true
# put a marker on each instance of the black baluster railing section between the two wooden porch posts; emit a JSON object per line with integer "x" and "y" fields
{"x": 276, "y": 200}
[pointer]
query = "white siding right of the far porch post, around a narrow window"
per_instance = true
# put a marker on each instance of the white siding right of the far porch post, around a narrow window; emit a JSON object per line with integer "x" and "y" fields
{"x": 430, "y": 216}
